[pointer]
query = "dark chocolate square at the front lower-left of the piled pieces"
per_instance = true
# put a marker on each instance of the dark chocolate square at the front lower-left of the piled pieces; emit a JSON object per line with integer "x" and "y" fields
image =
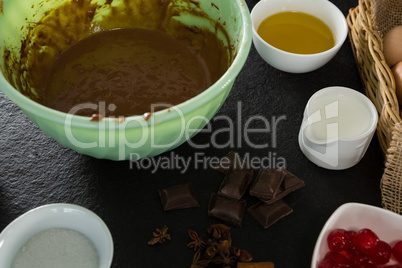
{"x": 229, "y": 210}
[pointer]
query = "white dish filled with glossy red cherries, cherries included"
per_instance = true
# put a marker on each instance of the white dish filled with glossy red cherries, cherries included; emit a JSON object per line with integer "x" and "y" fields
{"x": 360, "y": 236}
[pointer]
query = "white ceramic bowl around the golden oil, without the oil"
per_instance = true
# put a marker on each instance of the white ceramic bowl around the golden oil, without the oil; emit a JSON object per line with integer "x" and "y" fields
{"x": 291, "y": 62}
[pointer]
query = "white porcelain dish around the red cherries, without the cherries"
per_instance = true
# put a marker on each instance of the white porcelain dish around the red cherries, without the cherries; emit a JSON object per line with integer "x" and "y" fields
{"x": 355, "y": 216}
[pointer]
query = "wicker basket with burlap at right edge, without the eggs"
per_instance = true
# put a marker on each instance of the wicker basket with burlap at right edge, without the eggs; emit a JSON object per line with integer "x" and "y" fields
{"x": 379, "y": 85}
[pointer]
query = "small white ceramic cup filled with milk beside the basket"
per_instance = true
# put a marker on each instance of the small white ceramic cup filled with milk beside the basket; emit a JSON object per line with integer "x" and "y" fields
{"x": 337, "y": 128}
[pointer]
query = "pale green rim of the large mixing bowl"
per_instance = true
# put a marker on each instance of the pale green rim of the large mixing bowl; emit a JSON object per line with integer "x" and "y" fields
{"x": 165, "y": 115}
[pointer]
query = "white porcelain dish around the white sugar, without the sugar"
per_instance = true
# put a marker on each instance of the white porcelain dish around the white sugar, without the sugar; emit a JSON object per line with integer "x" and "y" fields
{"x": 67, "y": 216}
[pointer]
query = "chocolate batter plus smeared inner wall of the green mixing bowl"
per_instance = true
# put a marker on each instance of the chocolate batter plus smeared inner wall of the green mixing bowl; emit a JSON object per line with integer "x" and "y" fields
{"x": 129, "y": 82}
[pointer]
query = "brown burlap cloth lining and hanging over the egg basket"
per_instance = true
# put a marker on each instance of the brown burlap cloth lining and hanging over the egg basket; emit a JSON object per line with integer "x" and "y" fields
{"x": 386, "y": 15}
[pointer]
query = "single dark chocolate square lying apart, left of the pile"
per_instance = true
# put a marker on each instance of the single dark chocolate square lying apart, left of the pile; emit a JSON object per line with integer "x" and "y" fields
{"x": 178, "y": 197}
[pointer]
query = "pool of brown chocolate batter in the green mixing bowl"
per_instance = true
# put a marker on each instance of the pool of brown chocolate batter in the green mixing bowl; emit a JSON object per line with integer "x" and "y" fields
{"x": 130, "y": 68}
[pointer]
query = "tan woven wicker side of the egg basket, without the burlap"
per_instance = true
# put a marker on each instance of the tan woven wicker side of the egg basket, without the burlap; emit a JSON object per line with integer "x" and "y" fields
{"x": 376, "y": 76}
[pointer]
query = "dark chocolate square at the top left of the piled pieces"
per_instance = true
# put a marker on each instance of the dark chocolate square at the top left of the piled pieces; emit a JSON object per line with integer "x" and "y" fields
{"x": 235, "y": 184}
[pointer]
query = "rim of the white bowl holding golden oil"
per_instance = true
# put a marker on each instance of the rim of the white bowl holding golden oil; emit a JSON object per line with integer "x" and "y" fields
{"x": 329, "y": 51}
